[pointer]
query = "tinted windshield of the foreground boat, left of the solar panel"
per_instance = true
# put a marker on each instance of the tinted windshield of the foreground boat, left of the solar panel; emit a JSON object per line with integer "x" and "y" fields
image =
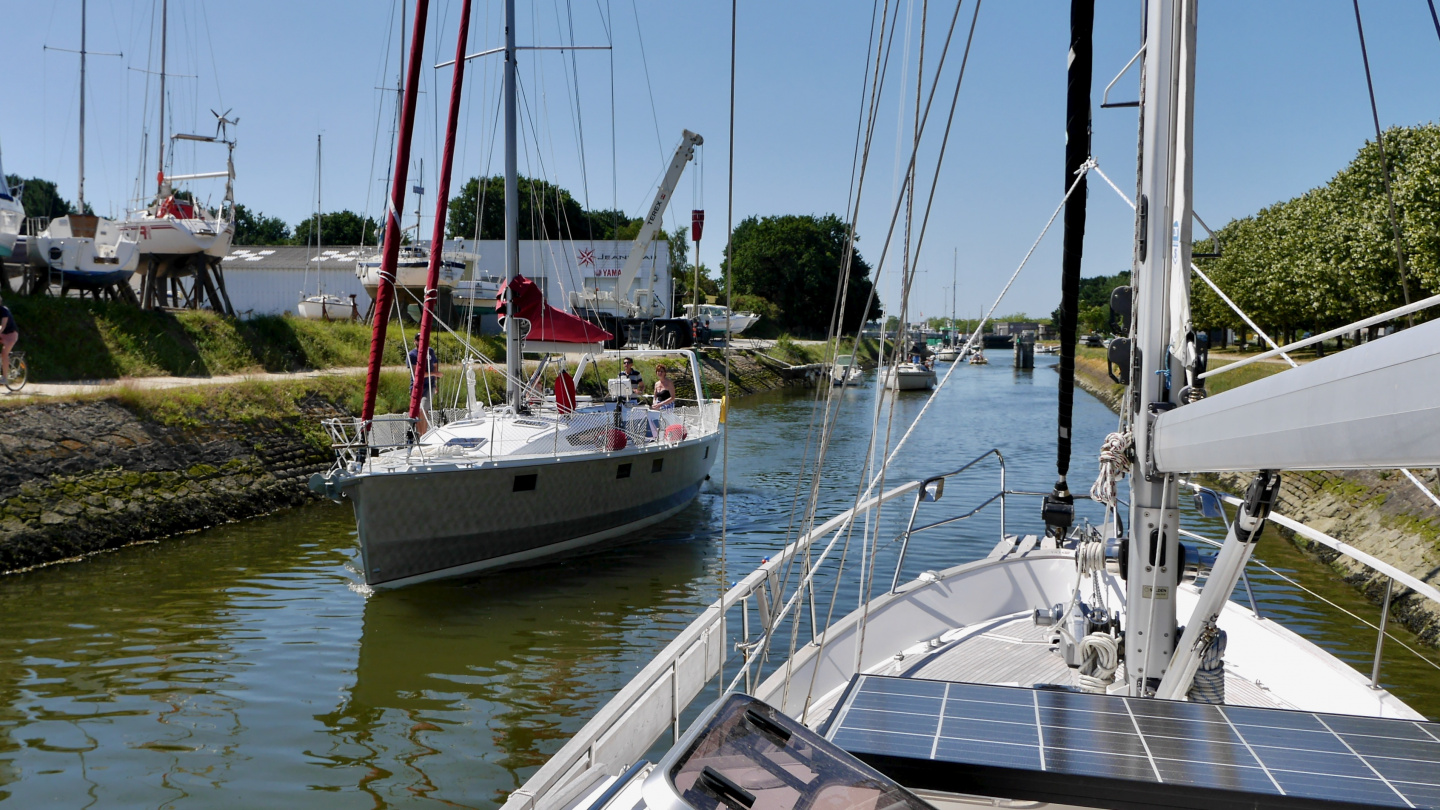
{"x": 752, "y": 757}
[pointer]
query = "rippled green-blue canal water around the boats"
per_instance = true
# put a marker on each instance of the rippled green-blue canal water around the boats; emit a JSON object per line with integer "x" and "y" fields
{"x": 243, "y": 667}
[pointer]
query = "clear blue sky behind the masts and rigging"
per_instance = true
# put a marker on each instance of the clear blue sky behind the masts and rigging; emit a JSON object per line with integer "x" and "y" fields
{"x": 1281, "y": 107}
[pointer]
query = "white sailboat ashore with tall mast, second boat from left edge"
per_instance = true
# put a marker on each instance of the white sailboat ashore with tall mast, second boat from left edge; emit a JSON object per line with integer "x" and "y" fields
{"x": 84, "y": 252}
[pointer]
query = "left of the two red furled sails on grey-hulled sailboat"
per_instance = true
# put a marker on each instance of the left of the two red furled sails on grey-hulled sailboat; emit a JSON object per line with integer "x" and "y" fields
{"x": 391, "y": 253}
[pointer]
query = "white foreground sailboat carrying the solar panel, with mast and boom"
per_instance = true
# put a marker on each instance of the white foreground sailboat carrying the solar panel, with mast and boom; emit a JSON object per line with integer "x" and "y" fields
{"x": 1076, "y": 664}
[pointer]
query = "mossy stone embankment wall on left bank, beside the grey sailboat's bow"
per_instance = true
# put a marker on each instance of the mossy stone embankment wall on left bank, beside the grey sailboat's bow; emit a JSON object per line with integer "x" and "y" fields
{"x": 78, "y": 478}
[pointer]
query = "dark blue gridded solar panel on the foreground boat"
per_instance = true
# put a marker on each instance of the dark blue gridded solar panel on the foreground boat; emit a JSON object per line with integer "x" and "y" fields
{"x": 1122, "y": 753}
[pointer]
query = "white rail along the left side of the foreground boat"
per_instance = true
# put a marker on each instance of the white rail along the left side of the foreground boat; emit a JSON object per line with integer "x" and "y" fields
{"x": 670, "y": 677}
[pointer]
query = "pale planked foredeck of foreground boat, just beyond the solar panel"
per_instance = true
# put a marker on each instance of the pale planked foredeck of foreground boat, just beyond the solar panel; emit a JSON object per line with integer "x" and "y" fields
{"x": 1016, "y": 652}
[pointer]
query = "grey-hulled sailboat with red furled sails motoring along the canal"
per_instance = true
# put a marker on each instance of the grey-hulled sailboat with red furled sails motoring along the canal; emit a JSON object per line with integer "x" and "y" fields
{"x": 541, "y": 475}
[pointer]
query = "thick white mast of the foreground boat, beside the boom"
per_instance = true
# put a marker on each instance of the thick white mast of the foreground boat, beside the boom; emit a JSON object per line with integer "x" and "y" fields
{"x": 1161, "y": 250}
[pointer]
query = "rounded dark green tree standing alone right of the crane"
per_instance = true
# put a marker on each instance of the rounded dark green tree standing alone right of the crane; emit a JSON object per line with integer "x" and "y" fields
{"x": 796, "y": 263}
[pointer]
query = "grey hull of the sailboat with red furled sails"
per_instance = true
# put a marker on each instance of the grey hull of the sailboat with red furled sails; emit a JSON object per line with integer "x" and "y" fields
{"x": 428, "y": 525}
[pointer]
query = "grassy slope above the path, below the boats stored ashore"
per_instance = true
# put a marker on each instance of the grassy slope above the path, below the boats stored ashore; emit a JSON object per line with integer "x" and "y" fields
{"x": 67, "y": 339}
